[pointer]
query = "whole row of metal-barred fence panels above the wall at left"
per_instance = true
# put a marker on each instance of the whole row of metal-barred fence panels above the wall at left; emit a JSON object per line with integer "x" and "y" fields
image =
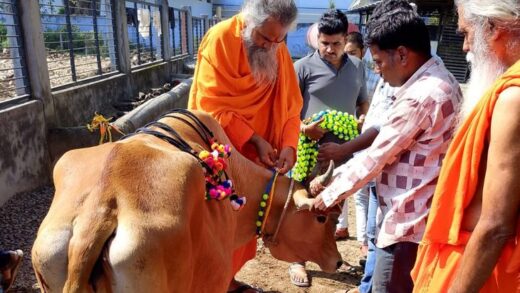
{"x": 81, "y": 41}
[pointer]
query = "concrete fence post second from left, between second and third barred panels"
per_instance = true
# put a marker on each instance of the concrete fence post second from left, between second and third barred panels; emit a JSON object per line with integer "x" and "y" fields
{"x": 121, "y": 35}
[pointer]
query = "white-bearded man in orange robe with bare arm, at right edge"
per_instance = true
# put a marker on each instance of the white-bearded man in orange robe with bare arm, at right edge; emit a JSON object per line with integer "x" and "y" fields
{"x": 471, "y": 239}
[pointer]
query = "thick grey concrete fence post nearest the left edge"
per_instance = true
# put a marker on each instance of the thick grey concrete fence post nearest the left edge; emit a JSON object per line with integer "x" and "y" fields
{"x": 36, "y": 57}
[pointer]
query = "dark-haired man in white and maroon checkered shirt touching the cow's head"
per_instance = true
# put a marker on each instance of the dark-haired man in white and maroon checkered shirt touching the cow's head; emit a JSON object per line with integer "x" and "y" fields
{"x": 406, "y": 155}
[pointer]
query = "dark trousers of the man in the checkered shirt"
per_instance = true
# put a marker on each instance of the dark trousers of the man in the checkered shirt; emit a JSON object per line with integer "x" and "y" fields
{"x": 393, "y": 266}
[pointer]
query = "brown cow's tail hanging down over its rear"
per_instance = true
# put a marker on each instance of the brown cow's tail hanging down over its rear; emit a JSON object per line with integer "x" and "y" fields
{"x": 90, "y": 234}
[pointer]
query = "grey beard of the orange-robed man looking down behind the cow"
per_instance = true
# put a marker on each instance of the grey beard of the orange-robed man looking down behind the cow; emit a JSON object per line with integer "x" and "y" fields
{"x": 263, "y": 62}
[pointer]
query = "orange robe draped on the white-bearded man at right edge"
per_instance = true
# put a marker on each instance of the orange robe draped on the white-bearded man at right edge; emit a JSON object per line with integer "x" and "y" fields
{"x": 442, "y": 247}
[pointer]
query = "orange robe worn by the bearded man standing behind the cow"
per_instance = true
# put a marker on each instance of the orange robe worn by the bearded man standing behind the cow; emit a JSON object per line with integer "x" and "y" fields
{"x": 224, "y": 86}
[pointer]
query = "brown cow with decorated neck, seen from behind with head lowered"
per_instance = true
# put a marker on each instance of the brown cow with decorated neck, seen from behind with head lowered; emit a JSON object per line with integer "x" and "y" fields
{"x": 131, "y": 216}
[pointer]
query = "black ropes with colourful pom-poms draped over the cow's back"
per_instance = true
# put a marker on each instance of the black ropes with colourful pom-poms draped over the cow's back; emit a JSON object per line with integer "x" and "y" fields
{"x": 218, "y": 184}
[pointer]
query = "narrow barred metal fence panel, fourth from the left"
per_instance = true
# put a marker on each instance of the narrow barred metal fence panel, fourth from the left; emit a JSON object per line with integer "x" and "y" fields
{"x": 178, "y": 20}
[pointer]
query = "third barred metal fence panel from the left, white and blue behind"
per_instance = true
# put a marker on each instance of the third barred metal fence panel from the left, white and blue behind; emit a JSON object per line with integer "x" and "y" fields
{"x": 144, "y": 32}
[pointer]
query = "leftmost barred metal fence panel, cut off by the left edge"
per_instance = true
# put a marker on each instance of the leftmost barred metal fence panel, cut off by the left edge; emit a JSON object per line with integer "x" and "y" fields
{"x": 13, "y": 73}
